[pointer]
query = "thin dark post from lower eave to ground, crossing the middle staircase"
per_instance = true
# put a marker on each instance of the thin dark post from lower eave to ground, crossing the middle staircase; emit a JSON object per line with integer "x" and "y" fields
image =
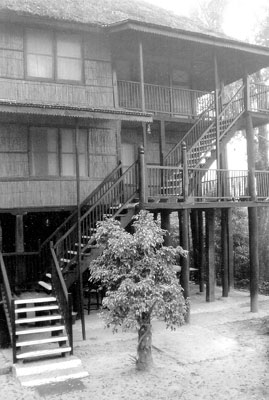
{"x": 79, "y": 266}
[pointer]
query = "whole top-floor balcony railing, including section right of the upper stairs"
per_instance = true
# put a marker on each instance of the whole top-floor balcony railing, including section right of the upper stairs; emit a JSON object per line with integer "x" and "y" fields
{"x": 182, "y": 102}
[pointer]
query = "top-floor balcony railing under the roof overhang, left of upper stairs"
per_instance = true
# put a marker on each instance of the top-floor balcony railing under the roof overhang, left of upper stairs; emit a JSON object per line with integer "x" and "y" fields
{"x": 164, "y": 99}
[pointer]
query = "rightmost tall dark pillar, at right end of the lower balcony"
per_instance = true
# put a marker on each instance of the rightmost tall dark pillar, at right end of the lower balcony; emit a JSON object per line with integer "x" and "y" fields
{"x": 252, "y": 218}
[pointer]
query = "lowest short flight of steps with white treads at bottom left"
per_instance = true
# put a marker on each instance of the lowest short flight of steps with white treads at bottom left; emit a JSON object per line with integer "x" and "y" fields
{"x": 39, "y": 327}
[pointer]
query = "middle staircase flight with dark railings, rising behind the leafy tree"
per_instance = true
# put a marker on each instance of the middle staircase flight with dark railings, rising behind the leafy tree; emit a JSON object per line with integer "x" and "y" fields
{"x": 115, "y": 197}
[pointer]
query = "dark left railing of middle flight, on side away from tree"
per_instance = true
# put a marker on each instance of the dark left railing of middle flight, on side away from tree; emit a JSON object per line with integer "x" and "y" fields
{"x": 71, "y": 221}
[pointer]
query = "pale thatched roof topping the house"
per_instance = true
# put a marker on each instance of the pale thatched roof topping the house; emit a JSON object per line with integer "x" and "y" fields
{"x": 103, "y": 12}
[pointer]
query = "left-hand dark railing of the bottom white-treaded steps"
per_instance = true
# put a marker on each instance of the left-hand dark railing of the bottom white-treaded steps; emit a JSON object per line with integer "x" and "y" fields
{"x": 9, "y": 302}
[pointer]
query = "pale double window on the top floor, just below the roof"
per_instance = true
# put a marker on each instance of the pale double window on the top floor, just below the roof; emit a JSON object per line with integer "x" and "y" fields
{"x": 53, "y": 56}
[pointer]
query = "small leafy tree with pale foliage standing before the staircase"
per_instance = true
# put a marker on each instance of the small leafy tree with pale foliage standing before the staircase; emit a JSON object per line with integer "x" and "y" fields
{"x": 139, "y": 276}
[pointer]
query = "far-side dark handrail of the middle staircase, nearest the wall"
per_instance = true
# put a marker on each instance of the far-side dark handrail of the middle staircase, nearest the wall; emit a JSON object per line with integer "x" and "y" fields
{"x": 72, "y": 219}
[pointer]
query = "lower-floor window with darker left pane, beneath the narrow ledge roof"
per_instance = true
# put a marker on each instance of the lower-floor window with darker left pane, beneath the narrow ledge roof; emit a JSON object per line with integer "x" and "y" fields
{"x": 53, "y": 152}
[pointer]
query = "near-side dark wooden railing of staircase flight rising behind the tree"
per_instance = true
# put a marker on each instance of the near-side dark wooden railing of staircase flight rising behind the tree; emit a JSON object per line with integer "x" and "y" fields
{"x": 110, "y": 203}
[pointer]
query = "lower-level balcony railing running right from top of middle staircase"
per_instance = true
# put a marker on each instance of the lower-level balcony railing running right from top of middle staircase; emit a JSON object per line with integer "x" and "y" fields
{"x": 204, "y": 184}
